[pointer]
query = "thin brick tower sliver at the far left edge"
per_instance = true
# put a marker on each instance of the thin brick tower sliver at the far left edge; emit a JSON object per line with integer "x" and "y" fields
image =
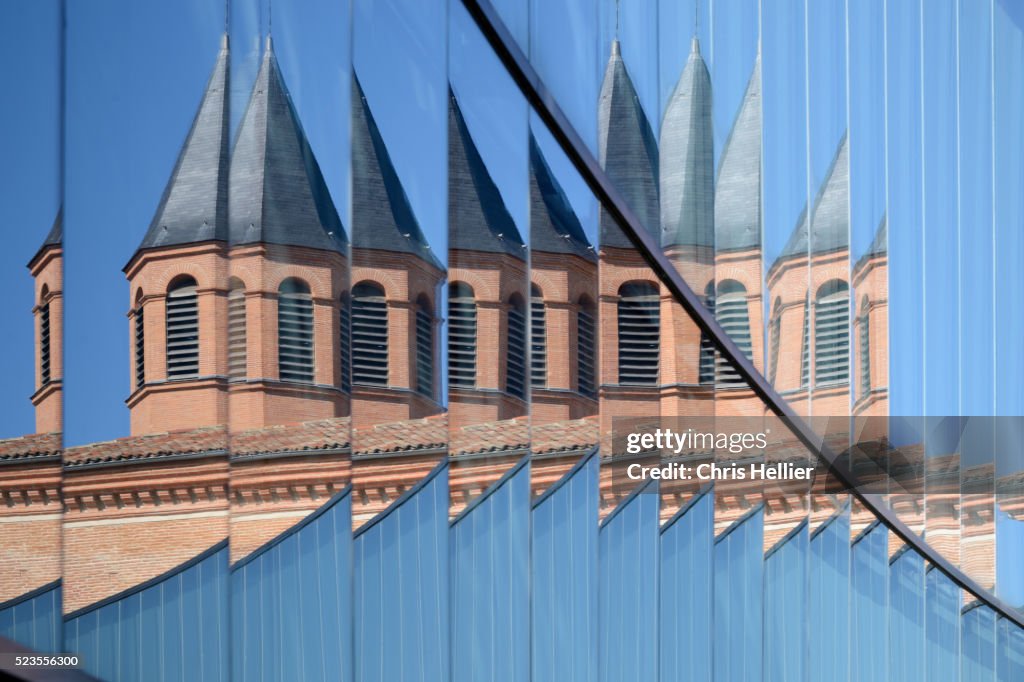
{"x": 48, "y": 270}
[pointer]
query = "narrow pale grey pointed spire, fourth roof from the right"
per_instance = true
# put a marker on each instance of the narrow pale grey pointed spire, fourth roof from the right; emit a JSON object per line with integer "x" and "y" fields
{"x": 688, "y": 160}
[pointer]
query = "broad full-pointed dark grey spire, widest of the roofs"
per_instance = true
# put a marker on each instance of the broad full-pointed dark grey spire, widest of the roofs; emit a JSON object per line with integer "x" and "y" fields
{"x": 278, "y": 194}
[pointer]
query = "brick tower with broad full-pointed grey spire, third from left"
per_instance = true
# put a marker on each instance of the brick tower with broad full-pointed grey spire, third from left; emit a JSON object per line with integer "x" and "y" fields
{"x": 286, "y": 347}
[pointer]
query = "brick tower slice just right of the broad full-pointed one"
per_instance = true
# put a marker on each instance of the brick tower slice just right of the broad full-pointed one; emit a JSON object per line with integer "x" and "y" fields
{"x": 397, "y": 280}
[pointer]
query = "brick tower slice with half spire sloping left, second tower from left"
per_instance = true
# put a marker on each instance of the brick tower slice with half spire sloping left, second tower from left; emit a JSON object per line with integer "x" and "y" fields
{"x": 179, "y": 282}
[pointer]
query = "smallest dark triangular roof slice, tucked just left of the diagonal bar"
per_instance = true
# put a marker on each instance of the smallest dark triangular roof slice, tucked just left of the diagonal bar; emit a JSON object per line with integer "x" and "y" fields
{"x": 554, "y": 227}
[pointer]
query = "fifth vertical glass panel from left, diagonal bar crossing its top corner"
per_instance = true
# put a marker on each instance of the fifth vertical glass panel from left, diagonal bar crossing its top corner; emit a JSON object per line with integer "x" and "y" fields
{"x": 490, "y": 406}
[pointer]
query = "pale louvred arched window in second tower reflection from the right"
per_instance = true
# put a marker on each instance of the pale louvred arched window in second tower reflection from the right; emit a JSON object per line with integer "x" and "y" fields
{"x": 832, "y": 333}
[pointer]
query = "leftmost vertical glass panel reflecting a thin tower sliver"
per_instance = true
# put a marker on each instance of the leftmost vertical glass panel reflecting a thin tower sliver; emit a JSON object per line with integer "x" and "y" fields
{"x": 32, "y": 351}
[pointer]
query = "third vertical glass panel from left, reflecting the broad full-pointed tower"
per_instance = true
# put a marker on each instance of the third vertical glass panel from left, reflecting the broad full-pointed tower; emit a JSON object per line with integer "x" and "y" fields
{"x": 287, "y": 343}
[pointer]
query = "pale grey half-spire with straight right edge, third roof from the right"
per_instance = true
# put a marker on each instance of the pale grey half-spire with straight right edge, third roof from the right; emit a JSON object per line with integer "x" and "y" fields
{"x": 738, "y": 190}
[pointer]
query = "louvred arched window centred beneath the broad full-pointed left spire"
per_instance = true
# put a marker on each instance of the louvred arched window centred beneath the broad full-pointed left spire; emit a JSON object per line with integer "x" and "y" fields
{"x": 295, "y": 331}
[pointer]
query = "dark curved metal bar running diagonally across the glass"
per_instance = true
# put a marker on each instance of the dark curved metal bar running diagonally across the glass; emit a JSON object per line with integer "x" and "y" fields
{"x": 543, "y": 103}
